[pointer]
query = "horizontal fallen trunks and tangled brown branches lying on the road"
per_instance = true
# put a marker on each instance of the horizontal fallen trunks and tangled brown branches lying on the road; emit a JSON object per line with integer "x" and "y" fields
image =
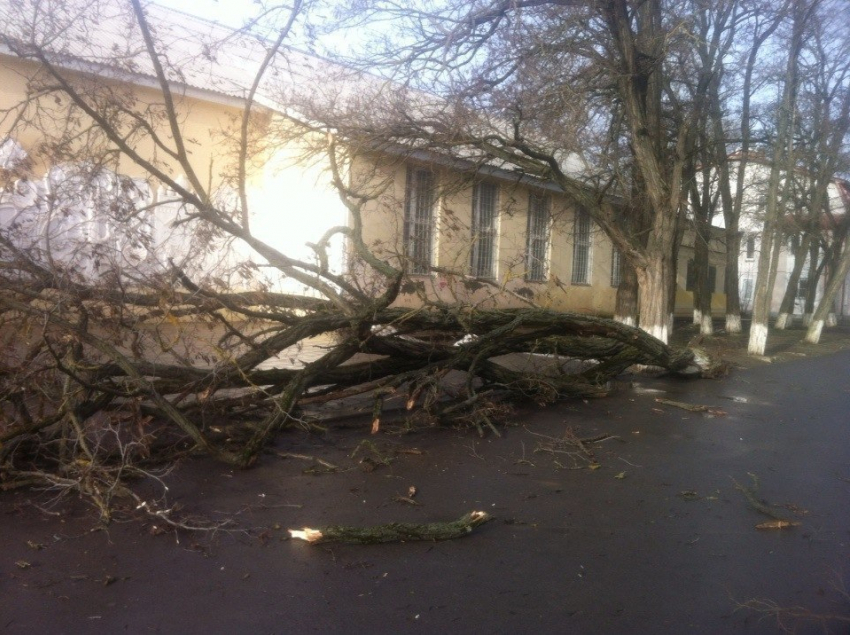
{"x": 93, "y": 377}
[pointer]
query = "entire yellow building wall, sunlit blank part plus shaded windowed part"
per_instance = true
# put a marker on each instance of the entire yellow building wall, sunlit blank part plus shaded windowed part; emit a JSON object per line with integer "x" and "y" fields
{"x": 293, "y": 203}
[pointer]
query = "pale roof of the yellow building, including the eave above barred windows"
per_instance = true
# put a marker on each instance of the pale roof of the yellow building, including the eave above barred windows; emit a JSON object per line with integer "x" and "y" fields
{"x": 206, "y": 60}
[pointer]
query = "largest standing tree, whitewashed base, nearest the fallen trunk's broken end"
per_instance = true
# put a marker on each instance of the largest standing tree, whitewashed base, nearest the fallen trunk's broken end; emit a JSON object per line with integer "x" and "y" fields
{"x": 542, "y": 87}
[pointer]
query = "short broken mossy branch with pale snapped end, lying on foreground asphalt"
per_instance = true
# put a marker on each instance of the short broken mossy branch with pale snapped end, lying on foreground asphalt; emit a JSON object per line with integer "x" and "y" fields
{"x": 394, "y": 532}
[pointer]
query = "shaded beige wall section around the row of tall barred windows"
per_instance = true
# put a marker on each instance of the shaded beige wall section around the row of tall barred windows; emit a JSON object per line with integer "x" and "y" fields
{"x": 386, "y": 179}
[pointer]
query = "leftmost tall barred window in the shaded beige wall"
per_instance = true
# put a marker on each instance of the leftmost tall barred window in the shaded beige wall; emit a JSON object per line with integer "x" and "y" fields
{"x": 419, "y": 219}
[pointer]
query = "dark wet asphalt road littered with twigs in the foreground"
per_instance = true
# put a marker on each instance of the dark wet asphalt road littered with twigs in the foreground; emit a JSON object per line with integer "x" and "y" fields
{"x": 656, "y": 540}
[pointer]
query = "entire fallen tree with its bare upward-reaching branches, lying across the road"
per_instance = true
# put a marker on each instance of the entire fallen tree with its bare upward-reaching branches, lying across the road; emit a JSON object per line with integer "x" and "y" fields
{"x": 119, "y": 355}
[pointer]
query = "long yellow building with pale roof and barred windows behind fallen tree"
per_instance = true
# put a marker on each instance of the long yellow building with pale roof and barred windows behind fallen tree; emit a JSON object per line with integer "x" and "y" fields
{"x": 480, "y": 237}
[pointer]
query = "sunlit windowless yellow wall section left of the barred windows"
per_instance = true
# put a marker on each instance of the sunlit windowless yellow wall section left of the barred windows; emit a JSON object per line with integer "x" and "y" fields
{"x": 291, "y": 197}
